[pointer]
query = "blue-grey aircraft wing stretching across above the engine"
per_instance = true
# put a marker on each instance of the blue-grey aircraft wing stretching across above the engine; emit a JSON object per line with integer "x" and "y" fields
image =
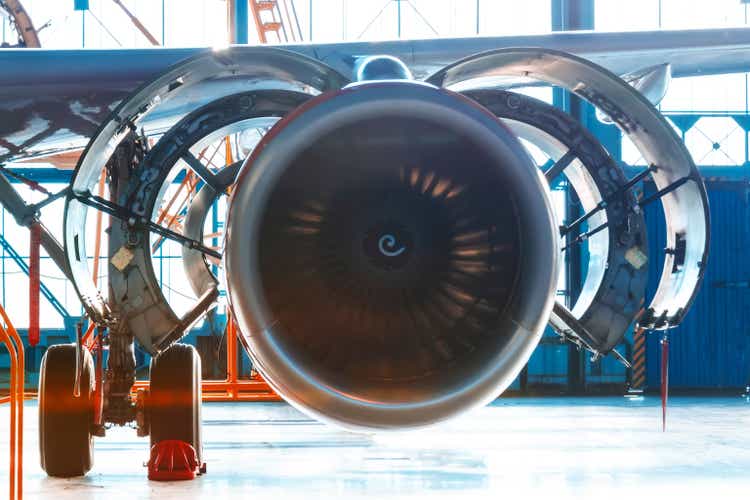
{"x": 53, "y": 100}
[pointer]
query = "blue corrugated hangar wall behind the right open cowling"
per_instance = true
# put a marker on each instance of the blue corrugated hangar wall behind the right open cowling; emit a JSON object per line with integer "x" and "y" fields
{"x": 710, "y": 349}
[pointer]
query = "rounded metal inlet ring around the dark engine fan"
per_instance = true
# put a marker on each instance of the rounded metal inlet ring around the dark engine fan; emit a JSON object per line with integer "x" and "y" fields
{"x": 270, "y": 159}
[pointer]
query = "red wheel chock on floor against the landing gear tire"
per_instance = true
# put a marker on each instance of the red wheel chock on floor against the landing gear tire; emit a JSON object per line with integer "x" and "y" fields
{"x": 174, "y": 461}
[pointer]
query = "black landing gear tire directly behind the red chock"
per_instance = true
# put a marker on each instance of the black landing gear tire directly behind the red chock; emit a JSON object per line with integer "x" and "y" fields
{"x": 174, "y": 400}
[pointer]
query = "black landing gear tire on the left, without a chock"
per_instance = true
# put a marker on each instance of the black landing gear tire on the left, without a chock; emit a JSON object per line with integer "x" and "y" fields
{"x": 66, "y": 445}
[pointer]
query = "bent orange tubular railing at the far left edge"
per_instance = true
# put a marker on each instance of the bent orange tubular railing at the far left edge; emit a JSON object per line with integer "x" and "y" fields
{"x": 12, "y": 341}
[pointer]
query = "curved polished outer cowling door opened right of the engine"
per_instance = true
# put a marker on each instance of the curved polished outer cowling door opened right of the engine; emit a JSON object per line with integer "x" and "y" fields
{"x": 685, "y": 202}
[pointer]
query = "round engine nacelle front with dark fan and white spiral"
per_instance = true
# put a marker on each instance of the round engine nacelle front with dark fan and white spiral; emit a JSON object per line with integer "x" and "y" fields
{"x": 390, "y": 255}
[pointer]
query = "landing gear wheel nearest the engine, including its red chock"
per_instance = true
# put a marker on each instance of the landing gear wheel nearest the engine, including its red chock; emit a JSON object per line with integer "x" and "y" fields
{"x": 174, "y": 408}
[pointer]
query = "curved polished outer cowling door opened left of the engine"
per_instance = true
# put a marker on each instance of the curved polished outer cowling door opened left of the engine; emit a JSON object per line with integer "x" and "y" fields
{"x": 247, "y": 67}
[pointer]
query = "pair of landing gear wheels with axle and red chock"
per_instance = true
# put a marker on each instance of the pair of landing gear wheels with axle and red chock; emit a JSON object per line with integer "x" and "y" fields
{"x": 170, "y": 412}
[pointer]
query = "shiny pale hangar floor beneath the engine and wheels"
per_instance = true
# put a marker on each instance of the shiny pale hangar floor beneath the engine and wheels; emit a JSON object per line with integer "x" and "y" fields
{"x": 553, "y": 448}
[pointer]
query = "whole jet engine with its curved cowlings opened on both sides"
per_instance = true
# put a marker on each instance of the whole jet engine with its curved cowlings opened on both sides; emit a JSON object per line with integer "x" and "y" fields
{"x": 390, "y": 254}
